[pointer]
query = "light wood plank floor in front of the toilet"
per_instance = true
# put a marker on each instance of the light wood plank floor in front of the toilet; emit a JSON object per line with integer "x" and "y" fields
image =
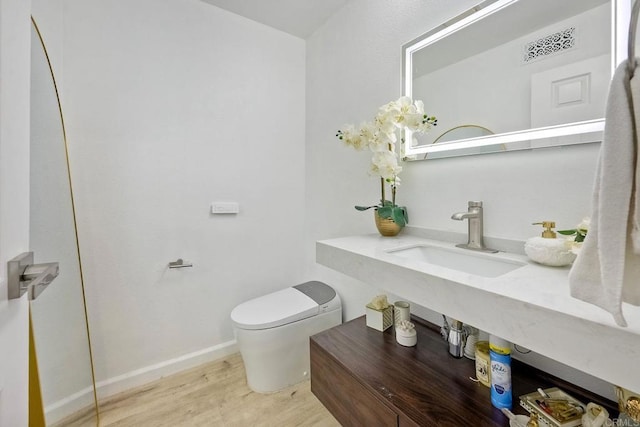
{"x": 214, "y": 394}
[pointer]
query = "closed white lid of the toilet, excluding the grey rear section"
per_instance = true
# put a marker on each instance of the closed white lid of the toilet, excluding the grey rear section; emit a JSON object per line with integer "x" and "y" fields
{"x": 275, "y": 309}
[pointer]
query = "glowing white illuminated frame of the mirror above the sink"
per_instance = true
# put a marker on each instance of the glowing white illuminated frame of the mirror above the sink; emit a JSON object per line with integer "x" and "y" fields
{"x": 620, "y": 17}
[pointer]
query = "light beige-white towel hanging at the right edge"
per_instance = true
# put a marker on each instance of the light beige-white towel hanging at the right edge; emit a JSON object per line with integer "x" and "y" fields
{"x": 607, "y": 270}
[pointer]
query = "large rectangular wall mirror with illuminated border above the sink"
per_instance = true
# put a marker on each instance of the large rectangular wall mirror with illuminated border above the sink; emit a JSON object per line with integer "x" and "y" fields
{"x": 535, "y": 72}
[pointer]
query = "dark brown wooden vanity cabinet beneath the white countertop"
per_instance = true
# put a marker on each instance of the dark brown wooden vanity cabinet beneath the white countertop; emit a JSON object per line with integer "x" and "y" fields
{"x": 365, "y": 378}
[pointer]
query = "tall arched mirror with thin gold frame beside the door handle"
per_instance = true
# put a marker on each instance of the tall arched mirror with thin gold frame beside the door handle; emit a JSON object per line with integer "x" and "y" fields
{"x": 60, "y": 326}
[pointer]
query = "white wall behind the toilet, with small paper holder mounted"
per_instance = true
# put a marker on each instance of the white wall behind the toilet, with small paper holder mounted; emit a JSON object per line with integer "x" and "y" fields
{"x": 171, "y": 105}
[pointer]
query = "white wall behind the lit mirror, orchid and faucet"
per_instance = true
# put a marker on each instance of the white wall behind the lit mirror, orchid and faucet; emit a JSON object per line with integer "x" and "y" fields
{"x": 354, "y": 66}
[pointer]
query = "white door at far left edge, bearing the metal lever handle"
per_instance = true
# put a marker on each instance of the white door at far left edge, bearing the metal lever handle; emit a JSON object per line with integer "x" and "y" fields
{"x": 14, "y": 206}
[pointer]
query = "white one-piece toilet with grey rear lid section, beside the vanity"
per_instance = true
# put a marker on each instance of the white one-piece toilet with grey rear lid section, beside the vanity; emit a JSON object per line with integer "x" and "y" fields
{"x": 272, "y": 332}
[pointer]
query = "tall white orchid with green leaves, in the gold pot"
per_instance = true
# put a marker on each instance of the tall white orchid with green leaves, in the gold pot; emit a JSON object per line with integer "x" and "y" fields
{"x": 380, "y": 136}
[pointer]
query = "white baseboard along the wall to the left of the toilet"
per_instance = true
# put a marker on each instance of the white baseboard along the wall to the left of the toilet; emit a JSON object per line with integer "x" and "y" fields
{"x": 111, "y": 386}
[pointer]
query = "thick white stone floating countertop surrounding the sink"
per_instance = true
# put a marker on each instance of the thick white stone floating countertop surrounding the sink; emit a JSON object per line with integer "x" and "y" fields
{"x": 530, "y": 306}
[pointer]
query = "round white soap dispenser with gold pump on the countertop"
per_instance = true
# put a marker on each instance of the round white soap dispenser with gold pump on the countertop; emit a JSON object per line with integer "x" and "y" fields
{"x": 548, "y": 249}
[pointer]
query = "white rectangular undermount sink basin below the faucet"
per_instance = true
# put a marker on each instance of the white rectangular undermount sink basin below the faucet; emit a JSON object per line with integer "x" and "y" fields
{"x": 477, "y": 263}
